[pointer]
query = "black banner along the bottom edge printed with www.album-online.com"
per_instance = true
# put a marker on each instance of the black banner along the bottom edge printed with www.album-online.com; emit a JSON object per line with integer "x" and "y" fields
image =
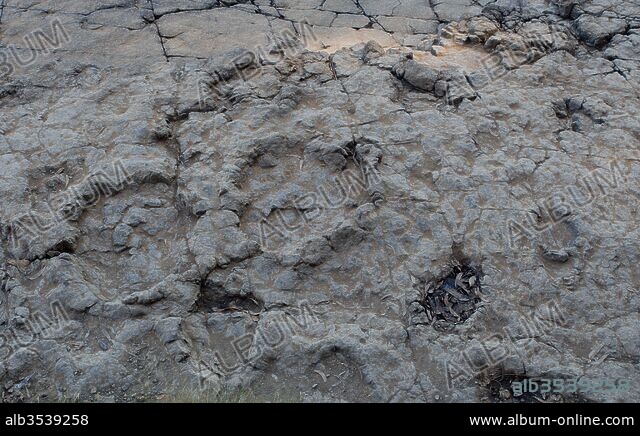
{"x": 71, "y": 418}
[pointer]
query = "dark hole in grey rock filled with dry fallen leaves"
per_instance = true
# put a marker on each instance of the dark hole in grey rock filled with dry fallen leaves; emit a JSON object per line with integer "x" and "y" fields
{"x": 452, "y": 298}
